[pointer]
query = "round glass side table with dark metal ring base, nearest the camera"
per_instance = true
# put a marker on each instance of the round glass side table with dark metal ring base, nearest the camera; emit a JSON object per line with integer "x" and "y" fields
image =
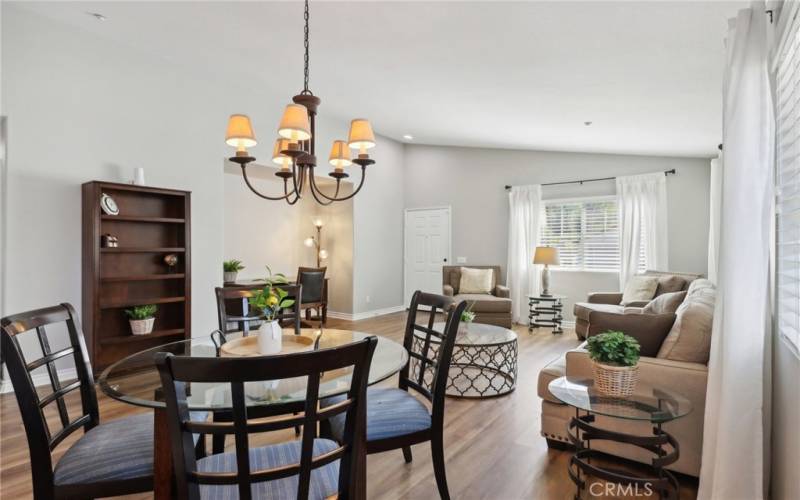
{"x": 650, "y": 404}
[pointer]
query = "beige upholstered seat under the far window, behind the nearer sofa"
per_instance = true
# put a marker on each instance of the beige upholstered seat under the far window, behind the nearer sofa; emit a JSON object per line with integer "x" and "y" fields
{"x": 610, "y": 302}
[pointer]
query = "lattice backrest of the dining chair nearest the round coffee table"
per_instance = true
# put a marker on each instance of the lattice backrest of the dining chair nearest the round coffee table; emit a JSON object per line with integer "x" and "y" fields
{"x": 423, "y": 358}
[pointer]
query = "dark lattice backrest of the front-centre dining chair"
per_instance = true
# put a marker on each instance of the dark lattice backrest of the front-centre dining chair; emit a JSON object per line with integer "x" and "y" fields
{"x": 178, "y": 371}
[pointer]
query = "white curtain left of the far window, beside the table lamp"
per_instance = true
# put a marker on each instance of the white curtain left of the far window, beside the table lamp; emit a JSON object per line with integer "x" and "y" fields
{"x": 525, "y": 204}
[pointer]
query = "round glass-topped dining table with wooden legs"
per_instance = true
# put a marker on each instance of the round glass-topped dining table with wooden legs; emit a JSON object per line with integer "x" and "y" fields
{"x": 135, "y": 380}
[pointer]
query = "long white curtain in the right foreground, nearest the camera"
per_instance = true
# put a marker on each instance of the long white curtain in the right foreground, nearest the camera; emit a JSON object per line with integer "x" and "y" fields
{"x": 736, "y": 437}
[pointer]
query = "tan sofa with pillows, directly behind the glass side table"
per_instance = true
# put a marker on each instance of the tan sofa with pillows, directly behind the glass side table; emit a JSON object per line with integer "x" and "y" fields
{"x": 677, "y": 360}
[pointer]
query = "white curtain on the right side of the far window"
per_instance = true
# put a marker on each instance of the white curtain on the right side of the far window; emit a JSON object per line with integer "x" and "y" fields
{"x": 642, "y": 203}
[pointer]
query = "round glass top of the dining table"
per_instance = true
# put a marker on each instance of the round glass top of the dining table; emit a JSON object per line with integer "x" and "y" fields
{"x": 135, "y": 379}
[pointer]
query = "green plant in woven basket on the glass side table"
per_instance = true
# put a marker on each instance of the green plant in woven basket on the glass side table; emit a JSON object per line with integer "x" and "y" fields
{"x": 615, "y": 359}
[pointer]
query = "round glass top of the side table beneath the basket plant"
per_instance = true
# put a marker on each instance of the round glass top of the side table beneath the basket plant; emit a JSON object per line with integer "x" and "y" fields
{"x": 648, "y": 403}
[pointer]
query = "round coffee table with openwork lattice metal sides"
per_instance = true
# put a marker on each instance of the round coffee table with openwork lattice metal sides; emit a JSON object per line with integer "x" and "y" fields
{"x": 484, "y": 362}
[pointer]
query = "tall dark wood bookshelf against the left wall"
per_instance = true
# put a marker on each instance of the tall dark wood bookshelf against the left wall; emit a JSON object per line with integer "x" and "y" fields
{"x": 152, "y": 223}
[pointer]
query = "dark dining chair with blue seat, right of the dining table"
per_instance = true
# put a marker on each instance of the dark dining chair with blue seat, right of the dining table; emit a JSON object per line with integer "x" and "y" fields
{"x": 395, "y": 417}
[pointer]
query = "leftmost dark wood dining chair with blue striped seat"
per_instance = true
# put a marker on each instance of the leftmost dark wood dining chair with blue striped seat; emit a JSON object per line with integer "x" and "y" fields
{"x": 114, "y": 458}
